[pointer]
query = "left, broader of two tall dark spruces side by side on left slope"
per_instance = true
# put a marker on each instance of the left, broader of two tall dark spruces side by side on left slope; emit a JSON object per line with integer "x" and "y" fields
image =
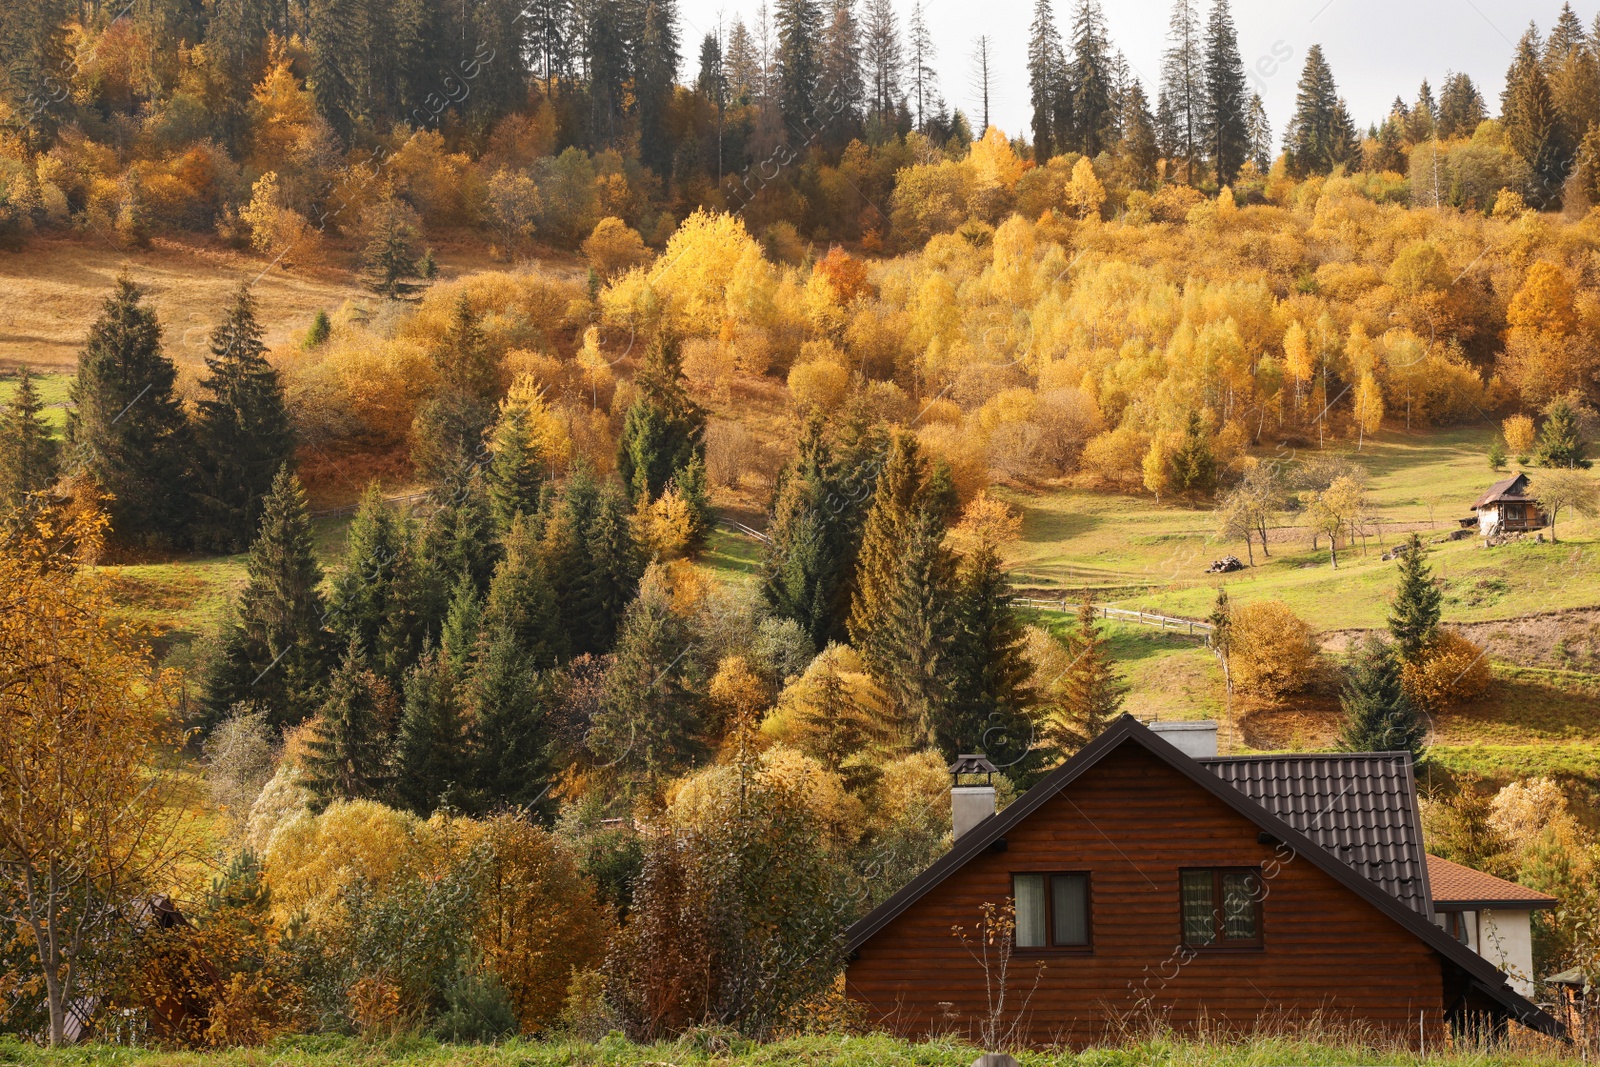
{"x": 127, "y": 426}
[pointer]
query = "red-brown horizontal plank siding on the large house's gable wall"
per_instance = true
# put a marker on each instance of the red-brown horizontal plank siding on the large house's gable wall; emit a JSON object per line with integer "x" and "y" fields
{"x": 1134, "y": 823}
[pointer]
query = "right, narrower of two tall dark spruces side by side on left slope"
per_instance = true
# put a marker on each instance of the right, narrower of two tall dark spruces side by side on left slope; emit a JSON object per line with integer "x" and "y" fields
{"x": 242, "y": 430}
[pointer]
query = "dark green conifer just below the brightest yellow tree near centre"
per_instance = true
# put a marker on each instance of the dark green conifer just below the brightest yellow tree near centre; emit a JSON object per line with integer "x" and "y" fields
{"x": 663, "y": 428}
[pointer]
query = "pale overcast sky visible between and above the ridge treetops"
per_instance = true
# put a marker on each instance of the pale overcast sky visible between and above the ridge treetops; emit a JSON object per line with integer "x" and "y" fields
{"x": 1375, "y": 47}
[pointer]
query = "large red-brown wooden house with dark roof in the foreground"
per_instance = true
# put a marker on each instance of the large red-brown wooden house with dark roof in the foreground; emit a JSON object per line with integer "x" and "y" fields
{"x": 1159, "y": 882}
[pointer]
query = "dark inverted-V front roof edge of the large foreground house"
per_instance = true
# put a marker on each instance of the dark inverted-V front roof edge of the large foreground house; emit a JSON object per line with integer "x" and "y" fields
{"x": 1127, "y": 730}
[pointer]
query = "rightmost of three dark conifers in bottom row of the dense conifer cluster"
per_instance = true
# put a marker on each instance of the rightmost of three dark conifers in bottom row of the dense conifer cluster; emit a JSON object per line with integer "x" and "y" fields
{"x": 511, "y": 729}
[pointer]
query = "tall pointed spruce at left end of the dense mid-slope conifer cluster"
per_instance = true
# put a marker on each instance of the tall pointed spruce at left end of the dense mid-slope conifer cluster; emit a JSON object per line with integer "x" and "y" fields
{"x": 274, "y": 652}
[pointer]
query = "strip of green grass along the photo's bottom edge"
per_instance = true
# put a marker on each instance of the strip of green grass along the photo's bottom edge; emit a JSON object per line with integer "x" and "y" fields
{"x": 726, "y": 1050}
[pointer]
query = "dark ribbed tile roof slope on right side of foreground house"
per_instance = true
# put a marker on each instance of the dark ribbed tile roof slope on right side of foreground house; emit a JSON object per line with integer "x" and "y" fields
{"x": 1359, "y": 807}
